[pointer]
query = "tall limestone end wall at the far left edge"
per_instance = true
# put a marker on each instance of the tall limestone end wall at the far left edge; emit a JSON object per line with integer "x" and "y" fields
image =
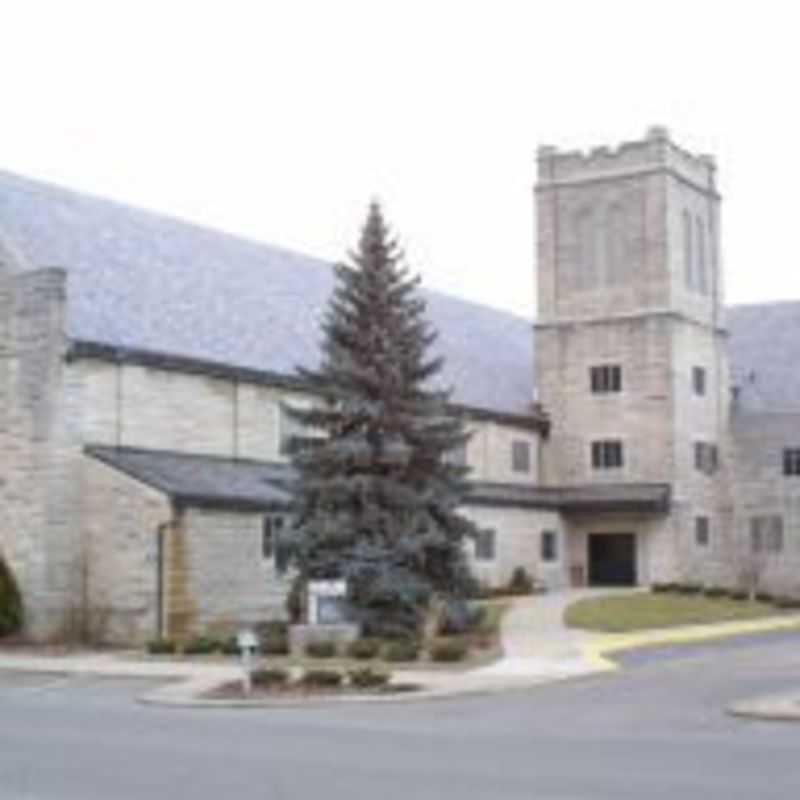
{"x": 40, "y": 442}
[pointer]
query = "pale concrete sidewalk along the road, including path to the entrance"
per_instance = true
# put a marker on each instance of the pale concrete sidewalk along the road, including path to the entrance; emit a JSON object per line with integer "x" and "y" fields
{"x": 537, "y": 647}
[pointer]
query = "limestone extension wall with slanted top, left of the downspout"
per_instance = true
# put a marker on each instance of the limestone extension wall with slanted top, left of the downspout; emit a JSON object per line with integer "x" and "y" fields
{"x": 122, "y": 519}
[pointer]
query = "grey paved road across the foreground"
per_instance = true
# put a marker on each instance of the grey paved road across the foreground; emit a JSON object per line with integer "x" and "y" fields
{"x": 655, "y": 730}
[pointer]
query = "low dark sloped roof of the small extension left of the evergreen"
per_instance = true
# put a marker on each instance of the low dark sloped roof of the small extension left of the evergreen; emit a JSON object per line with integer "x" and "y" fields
{"x": 202, "y": 480}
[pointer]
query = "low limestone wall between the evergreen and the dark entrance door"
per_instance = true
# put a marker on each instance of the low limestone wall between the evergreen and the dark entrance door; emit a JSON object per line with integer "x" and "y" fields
{"x": 518, "y": 544}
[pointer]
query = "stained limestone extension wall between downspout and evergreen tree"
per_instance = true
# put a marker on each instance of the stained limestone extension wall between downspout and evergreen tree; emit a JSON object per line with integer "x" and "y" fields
{"x": 217, "y": 576}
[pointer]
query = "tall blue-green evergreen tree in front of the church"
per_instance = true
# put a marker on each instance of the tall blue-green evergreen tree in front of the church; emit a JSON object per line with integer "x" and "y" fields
{"x": 376, "y": 498}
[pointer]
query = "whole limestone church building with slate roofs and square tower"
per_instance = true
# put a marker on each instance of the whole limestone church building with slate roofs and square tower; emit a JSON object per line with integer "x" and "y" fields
{"x": 639, "y": 431}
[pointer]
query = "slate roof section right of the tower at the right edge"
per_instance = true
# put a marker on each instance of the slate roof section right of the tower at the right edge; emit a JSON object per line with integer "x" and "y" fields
{"x": 765, "y": 356}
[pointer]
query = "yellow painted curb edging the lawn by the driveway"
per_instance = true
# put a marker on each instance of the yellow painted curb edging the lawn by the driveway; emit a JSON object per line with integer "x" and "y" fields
{"x": 599, "y": 648}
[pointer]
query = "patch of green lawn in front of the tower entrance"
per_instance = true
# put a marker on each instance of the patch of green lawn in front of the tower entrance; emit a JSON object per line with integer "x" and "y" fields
{"x": 640, "y": 611}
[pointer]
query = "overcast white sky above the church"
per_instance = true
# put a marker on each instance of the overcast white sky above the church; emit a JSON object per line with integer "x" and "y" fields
{"x": 280, "y": 120}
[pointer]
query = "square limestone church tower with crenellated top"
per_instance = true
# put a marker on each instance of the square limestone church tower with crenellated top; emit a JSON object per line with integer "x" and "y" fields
{"x": 631, "y": 345}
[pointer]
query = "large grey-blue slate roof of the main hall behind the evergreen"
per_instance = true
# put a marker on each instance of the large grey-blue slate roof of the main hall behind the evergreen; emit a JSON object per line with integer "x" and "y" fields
{"x": 147, "y": 282}
